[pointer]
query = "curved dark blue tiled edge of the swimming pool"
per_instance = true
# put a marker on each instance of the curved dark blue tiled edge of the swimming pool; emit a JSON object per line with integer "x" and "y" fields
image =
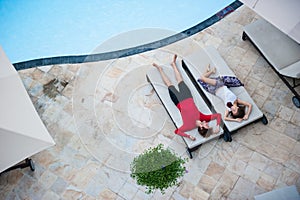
{"x": 129, "y": 51}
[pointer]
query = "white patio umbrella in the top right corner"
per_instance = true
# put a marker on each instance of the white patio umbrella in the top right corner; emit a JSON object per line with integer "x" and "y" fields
{"x": 283, "y": 14}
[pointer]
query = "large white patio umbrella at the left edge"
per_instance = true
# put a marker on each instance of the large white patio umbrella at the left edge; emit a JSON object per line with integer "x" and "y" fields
{"x": 22, "y": 132}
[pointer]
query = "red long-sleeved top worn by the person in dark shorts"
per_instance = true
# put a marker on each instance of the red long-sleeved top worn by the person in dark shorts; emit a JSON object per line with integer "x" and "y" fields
{"x": 190, "y": 113}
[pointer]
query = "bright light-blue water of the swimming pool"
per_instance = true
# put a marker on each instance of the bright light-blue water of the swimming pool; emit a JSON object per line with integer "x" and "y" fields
{"x": 31, "y": 29}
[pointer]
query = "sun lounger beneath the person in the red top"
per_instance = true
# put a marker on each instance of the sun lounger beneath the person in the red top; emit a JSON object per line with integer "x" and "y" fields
{"x": 161, "y": 90}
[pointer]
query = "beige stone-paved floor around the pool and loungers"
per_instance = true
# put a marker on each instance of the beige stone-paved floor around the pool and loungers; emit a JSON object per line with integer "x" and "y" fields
{"x": 103, "y": 114}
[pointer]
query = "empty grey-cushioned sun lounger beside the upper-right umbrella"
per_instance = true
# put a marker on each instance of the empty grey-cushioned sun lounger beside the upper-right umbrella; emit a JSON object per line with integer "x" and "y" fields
{"x": 280, "y": 51}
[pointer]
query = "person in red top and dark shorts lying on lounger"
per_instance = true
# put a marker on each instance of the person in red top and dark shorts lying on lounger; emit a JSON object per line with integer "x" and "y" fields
{"x": 183, "y": 99}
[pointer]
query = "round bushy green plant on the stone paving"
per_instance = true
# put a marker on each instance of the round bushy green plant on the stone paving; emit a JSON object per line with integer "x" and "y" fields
{"x": 157, "y": 168}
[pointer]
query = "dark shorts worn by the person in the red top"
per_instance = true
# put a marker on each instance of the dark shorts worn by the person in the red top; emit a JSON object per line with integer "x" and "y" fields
{"x": 181, "y": 94}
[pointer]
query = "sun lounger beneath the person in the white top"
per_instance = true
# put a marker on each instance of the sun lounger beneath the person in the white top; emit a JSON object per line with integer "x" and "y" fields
{"x": 195, "y": 64}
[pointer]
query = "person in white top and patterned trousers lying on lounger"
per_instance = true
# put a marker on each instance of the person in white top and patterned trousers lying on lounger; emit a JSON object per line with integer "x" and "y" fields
{"x": 235, "y": 107}
